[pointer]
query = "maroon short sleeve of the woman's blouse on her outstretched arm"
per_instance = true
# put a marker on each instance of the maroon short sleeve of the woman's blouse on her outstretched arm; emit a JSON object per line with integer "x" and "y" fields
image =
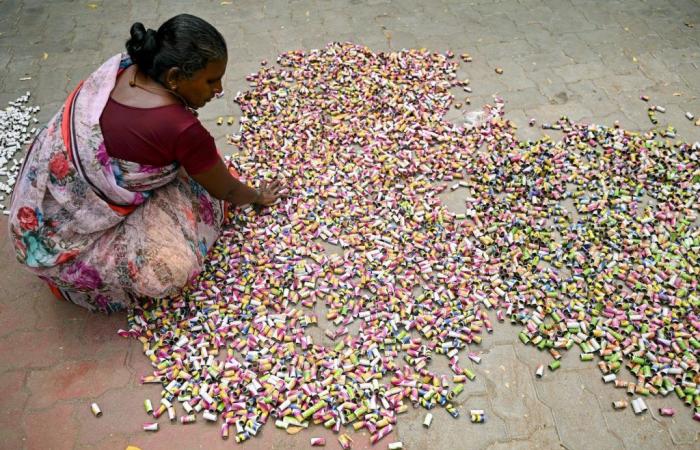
{"x": 195, "y": 149}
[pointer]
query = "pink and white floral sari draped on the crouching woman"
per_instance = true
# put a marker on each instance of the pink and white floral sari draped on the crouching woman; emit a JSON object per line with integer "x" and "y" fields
{"x": 102, "y": 231}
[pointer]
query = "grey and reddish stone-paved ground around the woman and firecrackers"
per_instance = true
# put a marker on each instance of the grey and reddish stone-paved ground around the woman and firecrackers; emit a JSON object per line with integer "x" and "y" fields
{"x": 587, "y": 59}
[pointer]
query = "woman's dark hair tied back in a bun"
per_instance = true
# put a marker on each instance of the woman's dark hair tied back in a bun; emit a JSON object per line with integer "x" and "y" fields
{"x": 184, "y": 41}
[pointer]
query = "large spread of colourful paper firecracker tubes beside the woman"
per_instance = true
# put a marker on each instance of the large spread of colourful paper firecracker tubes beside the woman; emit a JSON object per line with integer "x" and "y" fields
{"x": 589, "y": 242}
